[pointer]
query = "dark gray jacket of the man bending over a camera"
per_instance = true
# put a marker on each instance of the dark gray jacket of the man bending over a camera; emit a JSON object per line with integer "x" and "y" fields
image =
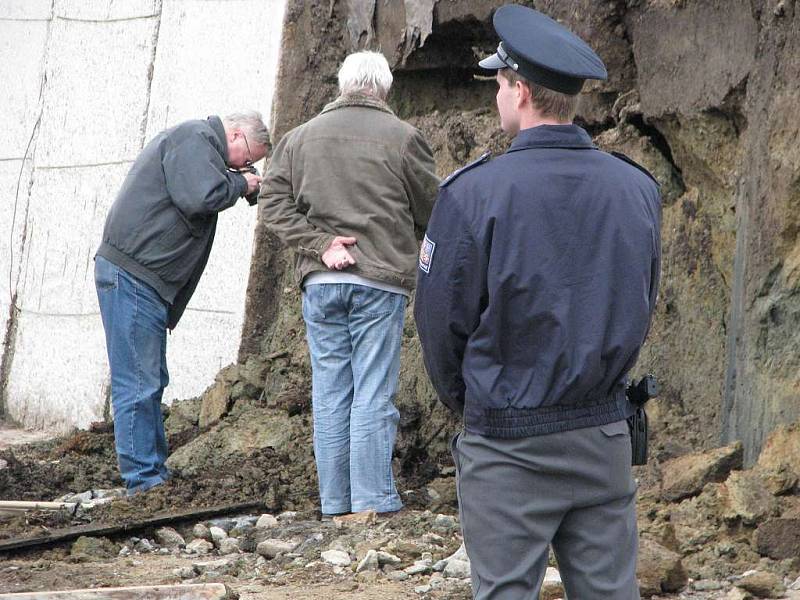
{"x": 161, "y": 226}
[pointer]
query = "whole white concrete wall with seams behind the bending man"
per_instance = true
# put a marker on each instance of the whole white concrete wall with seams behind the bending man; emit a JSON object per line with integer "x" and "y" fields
{"x": 86, "y": 84}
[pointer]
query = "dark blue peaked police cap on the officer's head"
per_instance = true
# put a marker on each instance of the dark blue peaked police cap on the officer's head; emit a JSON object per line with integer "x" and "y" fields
{"x": 542, "y": 51}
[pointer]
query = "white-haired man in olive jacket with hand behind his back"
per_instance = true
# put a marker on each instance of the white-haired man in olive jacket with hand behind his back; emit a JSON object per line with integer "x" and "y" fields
{"x": 346, "y": 191}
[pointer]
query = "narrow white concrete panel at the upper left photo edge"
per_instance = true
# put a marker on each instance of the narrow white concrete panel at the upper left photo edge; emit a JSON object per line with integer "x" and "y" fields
{"x": 22, "y": 48}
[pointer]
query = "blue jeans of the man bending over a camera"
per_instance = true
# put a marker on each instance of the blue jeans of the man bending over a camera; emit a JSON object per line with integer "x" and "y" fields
{"x": 135, "y": 322}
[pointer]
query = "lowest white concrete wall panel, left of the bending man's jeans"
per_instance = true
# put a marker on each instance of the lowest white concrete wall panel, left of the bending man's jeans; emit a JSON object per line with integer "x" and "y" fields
{"x": 59, "y": 376}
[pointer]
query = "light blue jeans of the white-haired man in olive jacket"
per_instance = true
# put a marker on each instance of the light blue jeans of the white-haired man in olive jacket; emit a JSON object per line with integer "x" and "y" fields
{"x": 354, "y": 335}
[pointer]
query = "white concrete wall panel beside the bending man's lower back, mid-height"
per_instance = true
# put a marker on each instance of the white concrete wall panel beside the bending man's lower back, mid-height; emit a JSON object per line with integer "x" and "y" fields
{"x": 65, "y": 225}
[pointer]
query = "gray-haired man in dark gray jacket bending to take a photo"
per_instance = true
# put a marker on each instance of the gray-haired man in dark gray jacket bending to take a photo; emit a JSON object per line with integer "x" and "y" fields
{"x": 156, "y": 243}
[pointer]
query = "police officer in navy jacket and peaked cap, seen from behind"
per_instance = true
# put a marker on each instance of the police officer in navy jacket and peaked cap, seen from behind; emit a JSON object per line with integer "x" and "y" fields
{"x": 537, "y": 283}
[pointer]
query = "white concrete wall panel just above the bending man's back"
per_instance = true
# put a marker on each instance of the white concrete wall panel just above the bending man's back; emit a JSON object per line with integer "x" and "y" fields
{"x": 97, "y": 81}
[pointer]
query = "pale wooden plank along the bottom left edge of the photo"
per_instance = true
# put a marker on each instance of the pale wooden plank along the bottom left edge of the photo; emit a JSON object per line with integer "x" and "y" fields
{"x": 204, "y": 591}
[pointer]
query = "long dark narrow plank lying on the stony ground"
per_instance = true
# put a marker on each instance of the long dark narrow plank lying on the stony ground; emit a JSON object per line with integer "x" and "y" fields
{"x": 57, "y": 536}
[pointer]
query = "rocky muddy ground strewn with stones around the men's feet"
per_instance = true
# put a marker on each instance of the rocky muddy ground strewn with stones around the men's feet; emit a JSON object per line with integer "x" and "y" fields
{"x": 708, "y": 527}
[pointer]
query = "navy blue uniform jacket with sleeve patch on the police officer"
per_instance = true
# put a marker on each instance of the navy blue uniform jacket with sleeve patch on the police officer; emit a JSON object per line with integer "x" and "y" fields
{"x": 536, "y": 285}
